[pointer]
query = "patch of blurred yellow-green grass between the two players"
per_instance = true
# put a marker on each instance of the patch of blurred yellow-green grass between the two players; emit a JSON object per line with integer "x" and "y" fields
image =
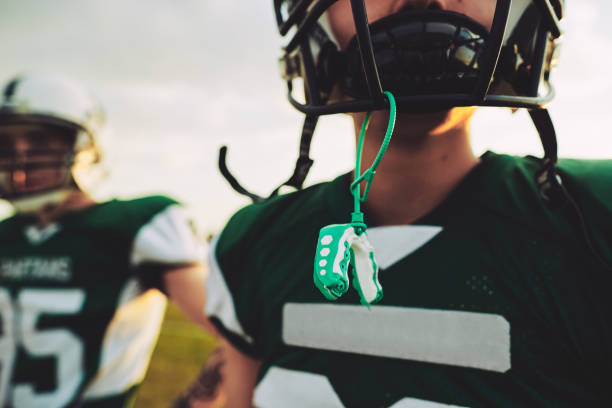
{"x": 181, "y": 351}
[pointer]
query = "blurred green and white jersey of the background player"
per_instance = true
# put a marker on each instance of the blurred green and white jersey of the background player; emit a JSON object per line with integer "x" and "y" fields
{"x": 77, "y": 319}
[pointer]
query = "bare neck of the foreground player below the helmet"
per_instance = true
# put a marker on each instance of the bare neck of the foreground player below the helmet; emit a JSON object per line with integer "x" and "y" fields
{"x": 418, "y": 171}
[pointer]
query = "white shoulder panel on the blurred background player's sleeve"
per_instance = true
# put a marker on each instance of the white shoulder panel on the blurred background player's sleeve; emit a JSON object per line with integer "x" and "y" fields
{"x": 168, "y": 238}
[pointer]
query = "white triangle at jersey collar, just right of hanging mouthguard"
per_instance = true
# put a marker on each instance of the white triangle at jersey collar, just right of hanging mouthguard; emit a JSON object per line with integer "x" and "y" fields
{"x": 394, "y": 243}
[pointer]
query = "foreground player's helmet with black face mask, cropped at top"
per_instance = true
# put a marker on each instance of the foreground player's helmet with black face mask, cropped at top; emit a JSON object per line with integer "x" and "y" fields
{"x": 430, "y": 59}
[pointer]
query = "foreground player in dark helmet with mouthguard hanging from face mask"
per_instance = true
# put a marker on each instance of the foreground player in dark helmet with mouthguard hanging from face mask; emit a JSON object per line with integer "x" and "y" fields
{"x": 495, "y": 269}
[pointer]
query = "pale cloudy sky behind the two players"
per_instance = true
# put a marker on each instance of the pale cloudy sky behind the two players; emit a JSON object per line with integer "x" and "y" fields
{"x": 180, "y": 78}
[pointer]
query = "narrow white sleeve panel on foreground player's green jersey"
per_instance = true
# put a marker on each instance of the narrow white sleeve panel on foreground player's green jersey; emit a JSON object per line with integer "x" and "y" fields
{"x": 219, "y": 301}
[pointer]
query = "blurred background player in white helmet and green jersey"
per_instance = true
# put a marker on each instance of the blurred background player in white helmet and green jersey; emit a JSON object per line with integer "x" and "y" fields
{"x": 78, "y": 313}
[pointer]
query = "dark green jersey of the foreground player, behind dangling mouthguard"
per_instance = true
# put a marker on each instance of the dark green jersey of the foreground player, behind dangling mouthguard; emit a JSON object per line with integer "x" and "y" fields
{"x": 490, "y": 300}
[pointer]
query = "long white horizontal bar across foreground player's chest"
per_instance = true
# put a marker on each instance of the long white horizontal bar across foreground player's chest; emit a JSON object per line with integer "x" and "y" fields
{"x": 465, "y": 339}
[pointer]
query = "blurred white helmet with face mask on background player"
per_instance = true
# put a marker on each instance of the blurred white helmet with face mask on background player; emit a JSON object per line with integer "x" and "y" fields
{"x": 45, "y": 106}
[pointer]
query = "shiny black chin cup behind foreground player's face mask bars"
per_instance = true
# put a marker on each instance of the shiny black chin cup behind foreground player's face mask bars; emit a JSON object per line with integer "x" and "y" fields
{"x": 418, "y": 52}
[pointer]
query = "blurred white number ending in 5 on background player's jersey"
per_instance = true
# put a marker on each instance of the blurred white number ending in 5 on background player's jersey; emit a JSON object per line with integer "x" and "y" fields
{"x": 18, "y": 319}
